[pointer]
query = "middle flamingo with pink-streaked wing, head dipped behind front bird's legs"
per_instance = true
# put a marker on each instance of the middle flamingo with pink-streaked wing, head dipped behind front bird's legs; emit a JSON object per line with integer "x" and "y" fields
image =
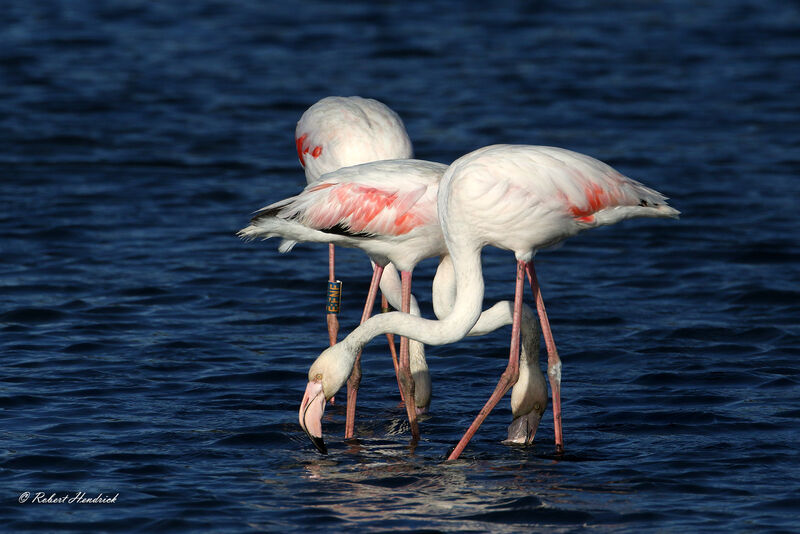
{"x": 388, "y": 209}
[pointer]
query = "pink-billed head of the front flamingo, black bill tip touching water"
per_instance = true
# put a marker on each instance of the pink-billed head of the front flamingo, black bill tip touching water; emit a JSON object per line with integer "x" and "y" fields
{"x": 325, "y": 377}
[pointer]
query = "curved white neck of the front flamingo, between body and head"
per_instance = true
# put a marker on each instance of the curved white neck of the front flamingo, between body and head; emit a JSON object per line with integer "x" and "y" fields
{"x": 465, "y": 313}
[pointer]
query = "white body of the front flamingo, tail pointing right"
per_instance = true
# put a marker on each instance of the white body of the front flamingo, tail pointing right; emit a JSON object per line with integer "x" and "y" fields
{"x": 524, "y": 198}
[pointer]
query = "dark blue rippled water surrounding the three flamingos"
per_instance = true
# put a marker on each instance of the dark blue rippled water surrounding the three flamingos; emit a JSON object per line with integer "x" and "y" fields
{"x": 147, "y": 353}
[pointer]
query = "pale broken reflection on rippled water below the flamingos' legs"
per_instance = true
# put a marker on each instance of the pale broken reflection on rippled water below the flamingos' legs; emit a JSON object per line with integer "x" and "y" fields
{"x": 384, "y": 486}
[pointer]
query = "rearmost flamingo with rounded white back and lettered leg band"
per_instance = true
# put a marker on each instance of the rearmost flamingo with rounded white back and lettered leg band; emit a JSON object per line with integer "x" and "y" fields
{"x": 339, "y": 132}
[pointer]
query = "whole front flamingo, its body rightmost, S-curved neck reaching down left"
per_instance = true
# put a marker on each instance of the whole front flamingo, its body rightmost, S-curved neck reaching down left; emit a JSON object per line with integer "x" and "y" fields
{"x": 519, "y": 198}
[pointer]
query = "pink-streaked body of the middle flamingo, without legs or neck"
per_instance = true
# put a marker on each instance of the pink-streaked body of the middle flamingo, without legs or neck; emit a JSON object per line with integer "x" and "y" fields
{"x": 385, "y": 208}
